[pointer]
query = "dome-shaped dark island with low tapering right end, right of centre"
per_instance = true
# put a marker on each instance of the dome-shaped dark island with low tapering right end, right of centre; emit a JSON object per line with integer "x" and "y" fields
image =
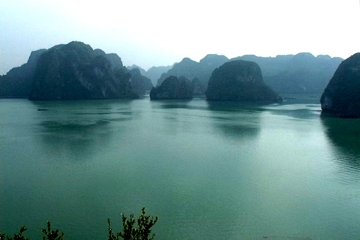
{"x": 239, "y": 81}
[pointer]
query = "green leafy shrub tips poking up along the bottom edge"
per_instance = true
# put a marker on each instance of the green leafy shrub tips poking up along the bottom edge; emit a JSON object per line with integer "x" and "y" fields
{"x": 130, "y": 231}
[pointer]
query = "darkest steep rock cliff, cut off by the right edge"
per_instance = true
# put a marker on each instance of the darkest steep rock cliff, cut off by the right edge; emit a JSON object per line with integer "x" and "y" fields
{"x": 342, "y": 95}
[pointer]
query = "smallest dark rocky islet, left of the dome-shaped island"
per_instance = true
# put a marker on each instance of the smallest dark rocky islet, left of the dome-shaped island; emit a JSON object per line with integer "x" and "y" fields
{"x": 173, "y": 88}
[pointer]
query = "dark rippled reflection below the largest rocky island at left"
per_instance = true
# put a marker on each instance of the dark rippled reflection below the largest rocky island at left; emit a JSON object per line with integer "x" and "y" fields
{"x": 81, "y": 127}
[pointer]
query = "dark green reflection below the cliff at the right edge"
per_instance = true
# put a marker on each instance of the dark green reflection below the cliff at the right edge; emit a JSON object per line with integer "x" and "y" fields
{"x": 344, "y": 134}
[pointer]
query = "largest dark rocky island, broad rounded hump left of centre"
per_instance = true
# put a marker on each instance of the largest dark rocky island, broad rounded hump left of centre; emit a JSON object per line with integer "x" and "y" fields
{"x": 76, "y": 71}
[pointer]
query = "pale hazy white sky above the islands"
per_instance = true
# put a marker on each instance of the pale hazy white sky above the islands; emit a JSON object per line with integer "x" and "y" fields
{"x": 161, "y": 32}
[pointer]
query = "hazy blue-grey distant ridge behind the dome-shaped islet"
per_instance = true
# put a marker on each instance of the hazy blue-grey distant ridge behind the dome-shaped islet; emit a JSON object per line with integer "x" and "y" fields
{"x": 302, "y": 73}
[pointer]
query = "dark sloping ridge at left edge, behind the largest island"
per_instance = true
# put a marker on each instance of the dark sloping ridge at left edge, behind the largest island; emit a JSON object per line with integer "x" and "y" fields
{"x": 17, "y": 82}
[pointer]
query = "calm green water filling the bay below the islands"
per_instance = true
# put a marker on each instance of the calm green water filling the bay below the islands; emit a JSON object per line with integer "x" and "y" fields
{"x": 207, "y": 170}
